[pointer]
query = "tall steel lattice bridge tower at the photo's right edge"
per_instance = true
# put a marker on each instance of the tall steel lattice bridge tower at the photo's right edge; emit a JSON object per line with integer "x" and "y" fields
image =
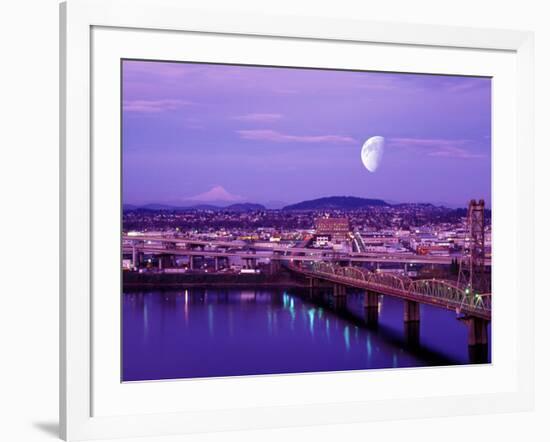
{"x": 472, "y": 266}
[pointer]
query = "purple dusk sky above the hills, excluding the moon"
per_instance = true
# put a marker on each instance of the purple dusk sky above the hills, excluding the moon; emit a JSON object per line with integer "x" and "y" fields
{"x": 206, "y": 132}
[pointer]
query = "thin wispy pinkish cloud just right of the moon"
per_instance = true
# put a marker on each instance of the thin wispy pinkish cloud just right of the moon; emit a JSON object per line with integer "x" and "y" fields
{"x": 437, "y": 147}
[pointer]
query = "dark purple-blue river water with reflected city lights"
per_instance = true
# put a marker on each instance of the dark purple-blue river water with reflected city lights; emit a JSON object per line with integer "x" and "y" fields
{"x": 228, "y": 332}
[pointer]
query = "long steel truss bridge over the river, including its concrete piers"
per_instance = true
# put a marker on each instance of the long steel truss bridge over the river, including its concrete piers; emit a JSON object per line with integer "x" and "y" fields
{"x": 474, "y": 308}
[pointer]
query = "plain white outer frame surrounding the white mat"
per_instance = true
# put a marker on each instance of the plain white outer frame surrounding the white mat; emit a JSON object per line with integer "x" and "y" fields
{"x": 78, "y": 318}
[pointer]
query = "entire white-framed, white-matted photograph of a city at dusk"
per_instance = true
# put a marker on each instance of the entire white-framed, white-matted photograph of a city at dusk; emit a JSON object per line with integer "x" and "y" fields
{"x": 281, "y": 221}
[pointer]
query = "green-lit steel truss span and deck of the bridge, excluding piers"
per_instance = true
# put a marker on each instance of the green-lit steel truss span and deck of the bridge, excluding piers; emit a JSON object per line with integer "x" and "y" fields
{"x": 439, "y": 293}
